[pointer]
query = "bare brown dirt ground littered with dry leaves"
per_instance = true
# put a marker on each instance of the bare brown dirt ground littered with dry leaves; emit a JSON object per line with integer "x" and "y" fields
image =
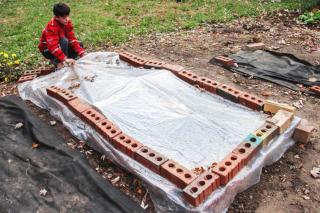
{"x": 285, "y": 186}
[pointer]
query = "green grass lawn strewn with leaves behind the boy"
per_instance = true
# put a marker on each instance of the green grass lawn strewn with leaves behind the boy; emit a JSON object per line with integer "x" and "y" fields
{"x": 114, "y": 21}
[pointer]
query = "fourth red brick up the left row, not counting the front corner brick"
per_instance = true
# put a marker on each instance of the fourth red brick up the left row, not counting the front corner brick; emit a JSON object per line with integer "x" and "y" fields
{"x": 108, "y": 130}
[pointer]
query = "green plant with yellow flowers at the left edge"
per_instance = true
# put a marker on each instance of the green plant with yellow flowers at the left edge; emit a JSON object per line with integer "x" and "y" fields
{"x": 9, "y": 66}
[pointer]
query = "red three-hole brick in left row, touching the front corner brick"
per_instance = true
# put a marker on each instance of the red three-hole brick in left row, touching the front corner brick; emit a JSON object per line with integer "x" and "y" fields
{"x": 177, "y": 174}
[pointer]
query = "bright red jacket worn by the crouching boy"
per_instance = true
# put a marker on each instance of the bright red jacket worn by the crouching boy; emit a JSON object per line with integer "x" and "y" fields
{"x": 51, "y": 36}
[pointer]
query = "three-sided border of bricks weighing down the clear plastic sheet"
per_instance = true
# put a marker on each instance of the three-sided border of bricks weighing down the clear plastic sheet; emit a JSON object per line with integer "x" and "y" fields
{"x": 196, "y": 188}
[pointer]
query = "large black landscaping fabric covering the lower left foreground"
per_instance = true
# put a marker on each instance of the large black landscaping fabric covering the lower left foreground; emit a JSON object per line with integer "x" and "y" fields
{"x": 49, "y": 177}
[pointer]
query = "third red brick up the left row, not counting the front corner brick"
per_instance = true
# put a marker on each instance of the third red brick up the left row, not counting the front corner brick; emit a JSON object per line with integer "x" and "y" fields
{"x": 127, "y": 144}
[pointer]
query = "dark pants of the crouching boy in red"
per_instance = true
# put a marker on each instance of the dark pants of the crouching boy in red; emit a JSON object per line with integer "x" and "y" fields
{"x": 66, "y": 49}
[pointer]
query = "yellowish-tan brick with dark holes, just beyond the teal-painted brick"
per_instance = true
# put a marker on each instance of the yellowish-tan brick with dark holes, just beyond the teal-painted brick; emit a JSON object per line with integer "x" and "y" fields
{"x": 267, "y": 132}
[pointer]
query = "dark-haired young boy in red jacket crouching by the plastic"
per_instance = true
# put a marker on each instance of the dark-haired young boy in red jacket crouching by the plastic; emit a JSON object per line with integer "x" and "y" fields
{"x": 58, "y": 42}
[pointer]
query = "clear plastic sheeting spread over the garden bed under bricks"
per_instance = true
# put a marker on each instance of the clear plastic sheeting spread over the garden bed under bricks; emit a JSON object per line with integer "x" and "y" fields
{"x": 161, "y": 111}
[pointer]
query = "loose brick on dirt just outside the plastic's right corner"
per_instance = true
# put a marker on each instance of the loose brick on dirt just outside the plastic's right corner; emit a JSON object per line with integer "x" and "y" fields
{"x": 303, "y": 131}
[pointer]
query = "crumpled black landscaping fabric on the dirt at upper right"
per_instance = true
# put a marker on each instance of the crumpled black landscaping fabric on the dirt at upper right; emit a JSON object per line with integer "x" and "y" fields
{"x": 280, "y": 68}
